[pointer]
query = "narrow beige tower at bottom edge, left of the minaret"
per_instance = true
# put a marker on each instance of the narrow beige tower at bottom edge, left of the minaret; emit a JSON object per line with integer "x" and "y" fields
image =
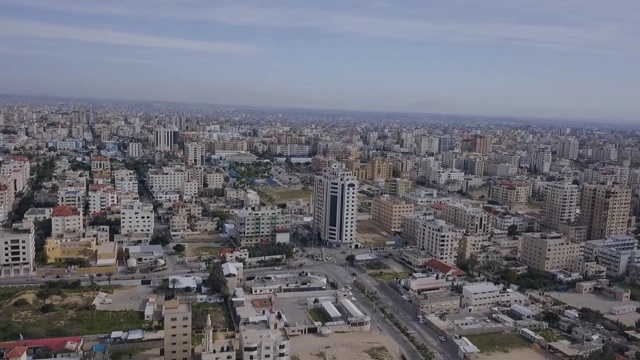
{"x": 177, "y": 330}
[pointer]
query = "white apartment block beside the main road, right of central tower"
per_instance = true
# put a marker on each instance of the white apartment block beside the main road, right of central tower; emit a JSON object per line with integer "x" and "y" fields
{"x": 440, "y": 240}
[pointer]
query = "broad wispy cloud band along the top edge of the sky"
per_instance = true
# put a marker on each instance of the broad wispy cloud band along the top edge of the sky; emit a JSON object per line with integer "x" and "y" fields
{"x": 583, "y": 25}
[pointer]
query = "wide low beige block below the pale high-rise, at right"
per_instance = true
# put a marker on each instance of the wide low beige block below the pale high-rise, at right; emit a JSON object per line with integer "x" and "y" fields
{"x": 549, "y": 251}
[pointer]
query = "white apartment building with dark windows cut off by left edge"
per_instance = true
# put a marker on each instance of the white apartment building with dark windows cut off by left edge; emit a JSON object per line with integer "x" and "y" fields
{"x": 17, "y": 251}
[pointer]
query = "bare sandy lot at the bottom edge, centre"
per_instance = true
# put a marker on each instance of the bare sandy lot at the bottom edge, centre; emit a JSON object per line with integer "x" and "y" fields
{"x": 350, "y": 346}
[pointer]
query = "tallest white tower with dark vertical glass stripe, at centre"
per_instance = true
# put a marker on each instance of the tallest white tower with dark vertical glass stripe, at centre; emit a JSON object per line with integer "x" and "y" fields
{"x": 336, "y": 197}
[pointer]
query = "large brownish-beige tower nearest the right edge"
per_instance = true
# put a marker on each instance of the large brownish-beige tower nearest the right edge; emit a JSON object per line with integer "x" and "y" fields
{"x": 605, "y": 210}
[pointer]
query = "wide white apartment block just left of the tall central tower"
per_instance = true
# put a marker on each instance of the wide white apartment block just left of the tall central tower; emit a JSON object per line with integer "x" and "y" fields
{"x": 258, "y": 225}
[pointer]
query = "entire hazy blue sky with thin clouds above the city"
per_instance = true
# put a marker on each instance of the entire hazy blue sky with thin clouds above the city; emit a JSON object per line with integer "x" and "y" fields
{"x": 543, "y": 58}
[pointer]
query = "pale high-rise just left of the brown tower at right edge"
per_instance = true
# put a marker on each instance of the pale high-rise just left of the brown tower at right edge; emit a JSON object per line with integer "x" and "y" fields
{"x": 561, "y": 203}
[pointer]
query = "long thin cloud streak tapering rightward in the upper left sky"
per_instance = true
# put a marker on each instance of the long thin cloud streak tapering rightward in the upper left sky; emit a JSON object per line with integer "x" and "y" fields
{"x": 38, "y": 30}
